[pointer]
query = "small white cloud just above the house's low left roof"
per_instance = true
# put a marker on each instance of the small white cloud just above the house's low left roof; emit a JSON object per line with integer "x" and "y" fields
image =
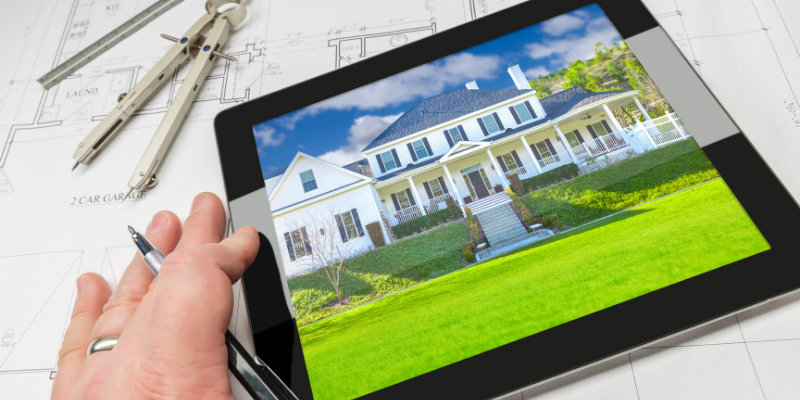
{"x": 363, "y": 131}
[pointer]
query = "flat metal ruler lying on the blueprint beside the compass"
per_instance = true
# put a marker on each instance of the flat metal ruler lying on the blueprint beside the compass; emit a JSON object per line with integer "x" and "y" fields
{"x": 108, "y": 41}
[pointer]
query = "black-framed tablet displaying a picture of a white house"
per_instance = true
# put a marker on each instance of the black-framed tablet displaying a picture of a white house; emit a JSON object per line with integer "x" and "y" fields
{"x": 493, "y": 206}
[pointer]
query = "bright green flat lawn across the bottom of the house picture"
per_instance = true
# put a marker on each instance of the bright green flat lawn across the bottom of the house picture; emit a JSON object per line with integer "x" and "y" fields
{"x": 549, "y": 283}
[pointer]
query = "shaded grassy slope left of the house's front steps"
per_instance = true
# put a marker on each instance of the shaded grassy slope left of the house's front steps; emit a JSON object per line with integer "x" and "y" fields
{"x": 370, "y": 276}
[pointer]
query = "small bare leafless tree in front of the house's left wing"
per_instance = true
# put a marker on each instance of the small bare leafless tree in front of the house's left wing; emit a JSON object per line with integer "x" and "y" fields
{"x": 320, "y": 229}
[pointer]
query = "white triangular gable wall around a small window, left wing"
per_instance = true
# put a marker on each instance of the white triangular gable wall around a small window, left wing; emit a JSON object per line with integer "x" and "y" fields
{"x": 291, "y": 190}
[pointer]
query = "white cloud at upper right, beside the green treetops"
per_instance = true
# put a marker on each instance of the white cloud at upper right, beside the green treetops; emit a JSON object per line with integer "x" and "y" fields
{"x": 574, "y": 47}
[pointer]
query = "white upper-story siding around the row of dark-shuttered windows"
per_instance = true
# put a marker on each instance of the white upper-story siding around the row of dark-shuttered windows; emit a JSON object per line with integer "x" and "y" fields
{"x": 471, "y": 127}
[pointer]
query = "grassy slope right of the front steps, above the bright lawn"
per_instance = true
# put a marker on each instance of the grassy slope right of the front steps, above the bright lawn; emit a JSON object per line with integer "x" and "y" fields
{"x": 624, "y": 185}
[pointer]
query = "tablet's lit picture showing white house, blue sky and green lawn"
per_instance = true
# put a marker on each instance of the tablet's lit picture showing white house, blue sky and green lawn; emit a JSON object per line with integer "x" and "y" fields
{"x": 484, "y": 197}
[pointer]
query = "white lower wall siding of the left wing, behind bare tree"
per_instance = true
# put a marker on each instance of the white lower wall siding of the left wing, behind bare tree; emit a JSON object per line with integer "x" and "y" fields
{"x": 359, "y": 198}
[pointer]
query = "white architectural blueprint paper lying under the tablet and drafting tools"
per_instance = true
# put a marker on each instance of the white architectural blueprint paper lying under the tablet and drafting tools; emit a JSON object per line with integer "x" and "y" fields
{"x": 56, "y": 224}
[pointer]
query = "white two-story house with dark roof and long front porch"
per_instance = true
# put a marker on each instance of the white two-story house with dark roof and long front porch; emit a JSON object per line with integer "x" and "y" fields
{"x": 462, "y": 144}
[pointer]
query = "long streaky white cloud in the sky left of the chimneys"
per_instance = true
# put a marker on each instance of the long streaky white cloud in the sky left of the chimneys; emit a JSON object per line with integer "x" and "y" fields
{"x": 421, "y": 82}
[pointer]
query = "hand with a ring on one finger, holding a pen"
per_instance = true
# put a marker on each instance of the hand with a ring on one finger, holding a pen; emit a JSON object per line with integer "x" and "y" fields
{"x": 172, "y": 328}
